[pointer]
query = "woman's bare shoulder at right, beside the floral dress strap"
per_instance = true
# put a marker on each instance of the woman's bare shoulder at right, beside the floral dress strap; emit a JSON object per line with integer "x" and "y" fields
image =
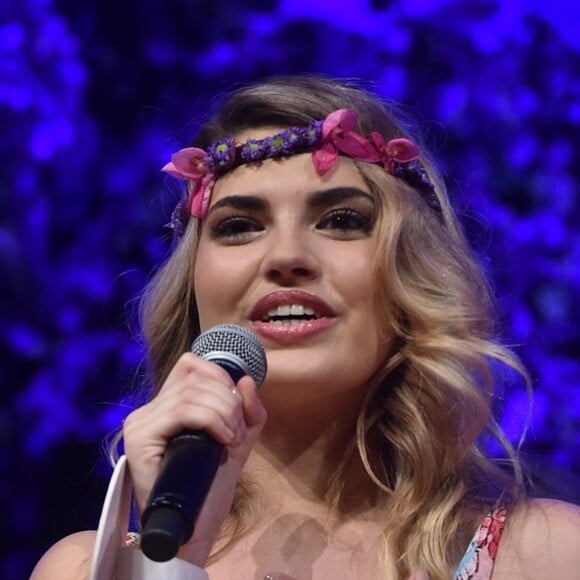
{"x": 542, "y": 540}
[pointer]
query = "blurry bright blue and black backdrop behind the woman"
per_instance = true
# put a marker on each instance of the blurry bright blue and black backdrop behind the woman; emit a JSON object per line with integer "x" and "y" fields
{"x": 94, "y": 96}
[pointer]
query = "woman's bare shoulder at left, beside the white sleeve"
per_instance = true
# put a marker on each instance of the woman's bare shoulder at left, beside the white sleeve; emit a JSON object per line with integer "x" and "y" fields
{"x": 68, "y": 559}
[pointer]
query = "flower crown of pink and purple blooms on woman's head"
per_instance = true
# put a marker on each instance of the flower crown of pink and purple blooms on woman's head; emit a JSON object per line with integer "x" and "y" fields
{"x": 326, "y": 139}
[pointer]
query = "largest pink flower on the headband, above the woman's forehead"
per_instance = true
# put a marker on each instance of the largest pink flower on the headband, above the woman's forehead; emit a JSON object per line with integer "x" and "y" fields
{"x": 338, "y": 136}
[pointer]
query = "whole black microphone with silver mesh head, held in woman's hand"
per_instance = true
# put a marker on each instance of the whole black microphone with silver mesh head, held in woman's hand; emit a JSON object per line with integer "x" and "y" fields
{"x": 192, "y": 457}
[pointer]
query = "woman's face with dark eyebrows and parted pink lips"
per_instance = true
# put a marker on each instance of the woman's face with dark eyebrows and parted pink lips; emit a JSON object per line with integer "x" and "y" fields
{"x": 289, "y": 255}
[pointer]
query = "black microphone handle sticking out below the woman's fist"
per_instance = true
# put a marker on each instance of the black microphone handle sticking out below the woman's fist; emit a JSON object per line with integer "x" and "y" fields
{"x": 187, "y": 472}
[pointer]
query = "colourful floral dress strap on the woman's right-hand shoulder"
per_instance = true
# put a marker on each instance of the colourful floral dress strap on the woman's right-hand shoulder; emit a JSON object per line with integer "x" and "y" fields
{"x": 477, "y": 562}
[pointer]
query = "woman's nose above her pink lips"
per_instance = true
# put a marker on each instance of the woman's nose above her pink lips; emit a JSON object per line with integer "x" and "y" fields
{"x": 290, "y": 258}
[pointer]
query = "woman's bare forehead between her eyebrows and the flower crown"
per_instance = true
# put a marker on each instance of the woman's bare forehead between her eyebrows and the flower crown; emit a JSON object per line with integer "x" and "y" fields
{"x": 295, "y": 174}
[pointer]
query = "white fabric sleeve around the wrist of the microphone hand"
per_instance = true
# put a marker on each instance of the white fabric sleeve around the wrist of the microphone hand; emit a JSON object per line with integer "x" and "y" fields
{"x": 111, "y": 560}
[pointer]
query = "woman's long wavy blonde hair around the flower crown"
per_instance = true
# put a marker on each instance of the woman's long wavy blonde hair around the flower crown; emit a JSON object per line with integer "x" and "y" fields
{"x": 419, "y": 430}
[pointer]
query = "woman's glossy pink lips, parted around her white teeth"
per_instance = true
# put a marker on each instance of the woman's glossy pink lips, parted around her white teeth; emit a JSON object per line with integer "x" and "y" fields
{"x": 286, "y": 333}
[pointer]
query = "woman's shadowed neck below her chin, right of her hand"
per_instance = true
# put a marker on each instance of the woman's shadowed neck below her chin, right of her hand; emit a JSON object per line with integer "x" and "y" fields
{"x": 301, "y": 450}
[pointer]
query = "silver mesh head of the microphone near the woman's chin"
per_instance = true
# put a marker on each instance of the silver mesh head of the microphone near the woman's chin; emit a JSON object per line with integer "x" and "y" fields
{"x": 238, "y": 341}
